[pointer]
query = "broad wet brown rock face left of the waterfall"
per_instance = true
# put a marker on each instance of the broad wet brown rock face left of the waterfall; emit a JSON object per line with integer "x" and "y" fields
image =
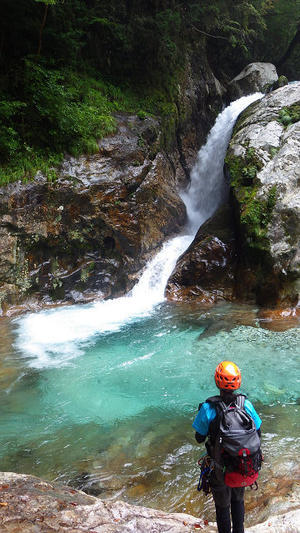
{"x": 88, "y": 233}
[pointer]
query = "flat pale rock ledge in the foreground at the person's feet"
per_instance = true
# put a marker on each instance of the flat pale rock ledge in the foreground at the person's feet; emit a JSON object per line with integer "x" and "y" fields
{"x": 31, "y": 505}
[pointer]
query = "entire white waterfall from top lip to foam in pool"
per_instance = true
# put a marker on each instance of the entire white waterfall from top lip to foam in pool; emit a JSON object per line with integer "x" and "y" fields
{"x": 56, "y": 336}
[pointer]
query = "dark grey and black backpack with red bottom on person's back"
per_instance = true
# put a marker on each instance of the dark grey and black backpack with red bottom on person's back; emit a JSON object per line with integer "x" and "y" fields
{"x": 234, "y": 442}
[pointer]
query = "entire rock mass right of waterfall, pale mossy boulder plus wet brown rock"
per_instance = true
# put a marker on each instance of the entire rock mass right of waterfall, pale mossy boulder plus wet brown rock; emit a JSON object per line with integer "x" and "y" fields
{"x": 255, "y": 258}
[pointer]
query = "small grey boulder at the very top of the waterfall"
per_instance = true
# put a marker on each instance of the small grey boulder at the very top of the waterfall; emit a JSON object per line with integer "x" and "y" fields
{"x": 255, "y": 77}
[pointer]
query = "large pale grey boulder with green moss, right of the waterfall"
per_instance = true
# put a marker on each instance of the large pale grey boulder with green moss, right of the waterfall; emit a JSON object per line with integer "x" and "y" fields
{"x": 263, "y": 164}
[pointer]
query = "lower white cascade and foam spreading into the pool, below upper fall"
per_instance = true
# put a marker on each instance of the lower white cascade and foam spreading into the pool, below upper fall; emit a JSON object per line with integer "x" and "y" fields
{"x": 54, "y": 337}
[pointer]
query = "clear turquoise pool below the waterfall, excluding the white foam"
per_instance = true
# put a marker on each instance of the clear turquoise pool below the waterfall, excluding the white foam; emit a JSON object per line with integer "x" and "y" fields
{"x": 116, "y": 418}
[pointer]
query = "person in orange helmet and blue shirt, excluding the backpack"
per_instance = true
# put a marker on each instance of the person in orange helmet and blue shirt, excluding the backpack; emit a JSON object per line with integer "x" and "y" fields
{"x": 228, "y": 380}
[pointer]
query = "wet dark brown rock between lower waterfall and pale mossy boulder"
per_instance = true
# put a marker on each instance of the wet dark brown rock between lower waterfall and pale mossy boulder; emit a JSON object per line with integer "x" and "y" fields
{"x": 205, "y": 272}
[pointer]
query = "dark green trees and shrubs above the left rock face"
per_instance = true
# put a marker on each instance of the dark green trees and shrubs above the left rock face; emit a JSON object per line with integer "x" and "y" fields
{"x": 68, "y": 66}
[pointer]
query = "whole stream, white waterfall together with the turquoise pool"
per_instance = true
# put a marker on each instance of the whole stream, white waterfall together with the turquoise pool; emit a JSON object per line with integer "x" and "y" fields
{"x": 102, "y": 396}
